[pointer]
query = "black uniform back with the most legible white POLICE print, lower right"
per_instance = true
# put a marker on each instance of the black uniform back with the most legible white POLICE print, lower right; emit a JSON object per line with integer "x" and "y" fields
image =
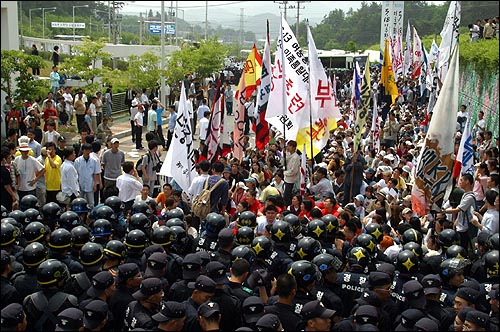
{"x": 350, "y": 288}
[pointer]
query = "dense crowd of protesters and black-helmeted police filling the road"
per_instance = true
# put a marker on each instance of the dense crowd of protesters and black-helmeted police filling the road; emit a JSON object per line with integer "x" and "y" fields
{"x": 89, "y": 243}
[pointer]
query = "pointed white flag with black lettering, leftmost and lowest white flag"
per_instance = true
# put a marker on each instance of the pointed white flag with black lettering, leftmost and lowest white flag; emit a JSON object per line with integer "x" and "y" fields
{"x": 179, "y": 161}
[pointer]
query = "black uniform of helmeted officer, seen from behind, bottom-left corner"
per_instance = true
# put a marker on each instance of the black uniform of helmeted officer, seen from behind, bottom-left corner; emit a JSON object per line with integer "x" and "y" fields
{"x": 43, "y": 307}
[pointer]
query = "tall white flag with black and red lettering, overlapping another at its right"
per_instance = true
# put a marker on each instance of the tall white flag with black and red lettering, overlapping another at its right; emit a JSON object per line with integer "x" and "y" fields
{"x": 288, "y": 104}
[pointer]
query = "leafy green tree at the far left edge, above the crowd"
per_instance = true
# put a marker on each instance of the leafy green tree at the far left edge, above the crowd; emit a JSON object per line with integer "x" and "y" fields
{"x": 16, "y": 67}
